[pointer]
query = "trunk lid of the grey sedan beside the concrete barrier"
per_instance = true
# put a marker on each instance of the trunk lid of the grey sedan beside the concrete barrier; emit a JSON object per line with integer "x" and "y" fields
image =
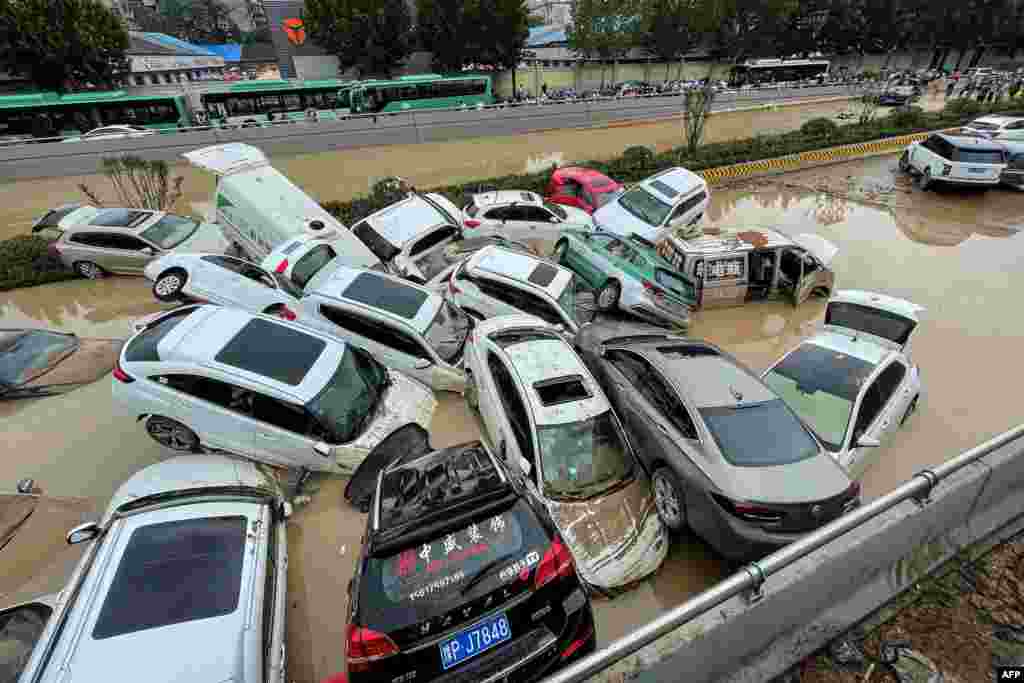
{"x": 813, "y": 480}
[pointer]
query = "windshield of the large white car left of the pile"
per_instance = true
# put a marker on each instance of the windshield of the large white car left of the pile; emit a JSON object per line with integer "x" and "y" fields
{"x": 352, "y": 397}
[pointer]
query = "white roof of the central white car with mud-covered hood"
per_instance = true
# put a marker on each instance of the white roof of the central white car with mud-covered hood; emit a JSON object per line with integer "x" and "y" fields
{"x": 541, "y": 360}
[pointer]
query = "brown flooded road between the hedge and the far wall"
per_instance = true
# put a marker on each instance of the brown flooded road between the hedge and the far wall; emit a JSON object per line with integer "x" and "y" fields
{"x": 344, "y": 175}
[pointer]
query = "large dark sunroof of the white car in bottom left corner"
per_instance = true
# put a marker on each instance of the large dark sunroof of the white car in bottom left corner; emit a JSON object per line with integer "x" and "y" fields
{"x": 174, "y": 573}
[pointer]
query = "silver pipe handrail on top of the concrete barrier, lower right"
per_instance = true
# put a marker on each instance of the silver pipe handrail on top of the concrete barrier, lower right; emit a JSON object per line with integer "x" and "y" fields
{"x": 750, "y": 581}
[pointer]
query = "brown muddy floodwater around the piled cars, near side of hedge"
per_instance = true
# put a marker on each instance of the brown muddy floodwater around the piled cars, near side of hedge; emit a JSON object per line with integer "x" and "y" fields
{"x": 958, "y": 254}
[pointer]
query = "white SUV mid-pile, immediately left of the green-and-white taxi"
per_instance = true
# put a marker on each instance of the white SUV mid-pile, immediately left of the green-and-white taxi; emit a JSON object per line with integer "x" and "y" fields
{"x": 499, "y": 282}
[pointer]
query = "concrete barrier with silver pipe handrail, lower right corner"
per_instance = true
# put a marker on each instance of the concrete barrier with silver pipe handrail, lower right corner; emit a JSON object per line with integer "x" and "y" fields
{"x": 769, "y": 617}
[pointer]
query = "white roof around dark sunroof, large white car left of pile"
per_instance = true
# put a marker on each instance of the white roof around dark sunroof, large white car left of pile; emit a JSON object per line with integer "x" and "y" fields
{"x": 201, "y": 337}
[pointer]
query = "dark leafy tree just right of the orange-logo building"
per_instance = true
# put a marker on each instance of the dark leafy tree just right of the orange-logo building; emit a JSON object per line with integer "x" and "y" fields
{"x": 374, "y": 37}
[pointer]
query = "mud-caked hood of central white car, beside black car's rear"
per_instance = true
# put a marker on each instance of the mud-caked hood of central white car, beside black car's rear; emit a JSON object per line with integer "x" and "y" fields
{"x": 613, "y": 537}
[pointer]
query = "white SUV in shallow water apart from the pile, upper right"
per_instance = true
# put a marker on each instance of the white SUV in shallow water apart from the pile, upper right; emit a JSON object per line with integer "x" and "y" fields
{"x": 956, "y": 160}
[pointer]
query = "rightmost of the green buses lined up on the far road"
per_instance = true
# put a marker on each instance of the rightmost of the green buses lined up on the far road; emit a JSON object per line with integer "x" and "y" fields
{"x": 418, "y": 93}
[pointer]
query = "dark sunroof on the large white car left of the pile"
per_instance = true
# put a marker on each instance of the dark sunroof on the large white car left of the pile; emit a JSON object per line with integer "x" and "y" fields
{"x": 274, "y": 351}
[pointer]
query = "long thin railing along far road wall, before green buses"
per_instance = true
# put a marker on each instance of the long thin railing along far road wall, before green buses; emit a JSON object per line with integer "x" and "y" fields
{"x": 739, "y": 95}
